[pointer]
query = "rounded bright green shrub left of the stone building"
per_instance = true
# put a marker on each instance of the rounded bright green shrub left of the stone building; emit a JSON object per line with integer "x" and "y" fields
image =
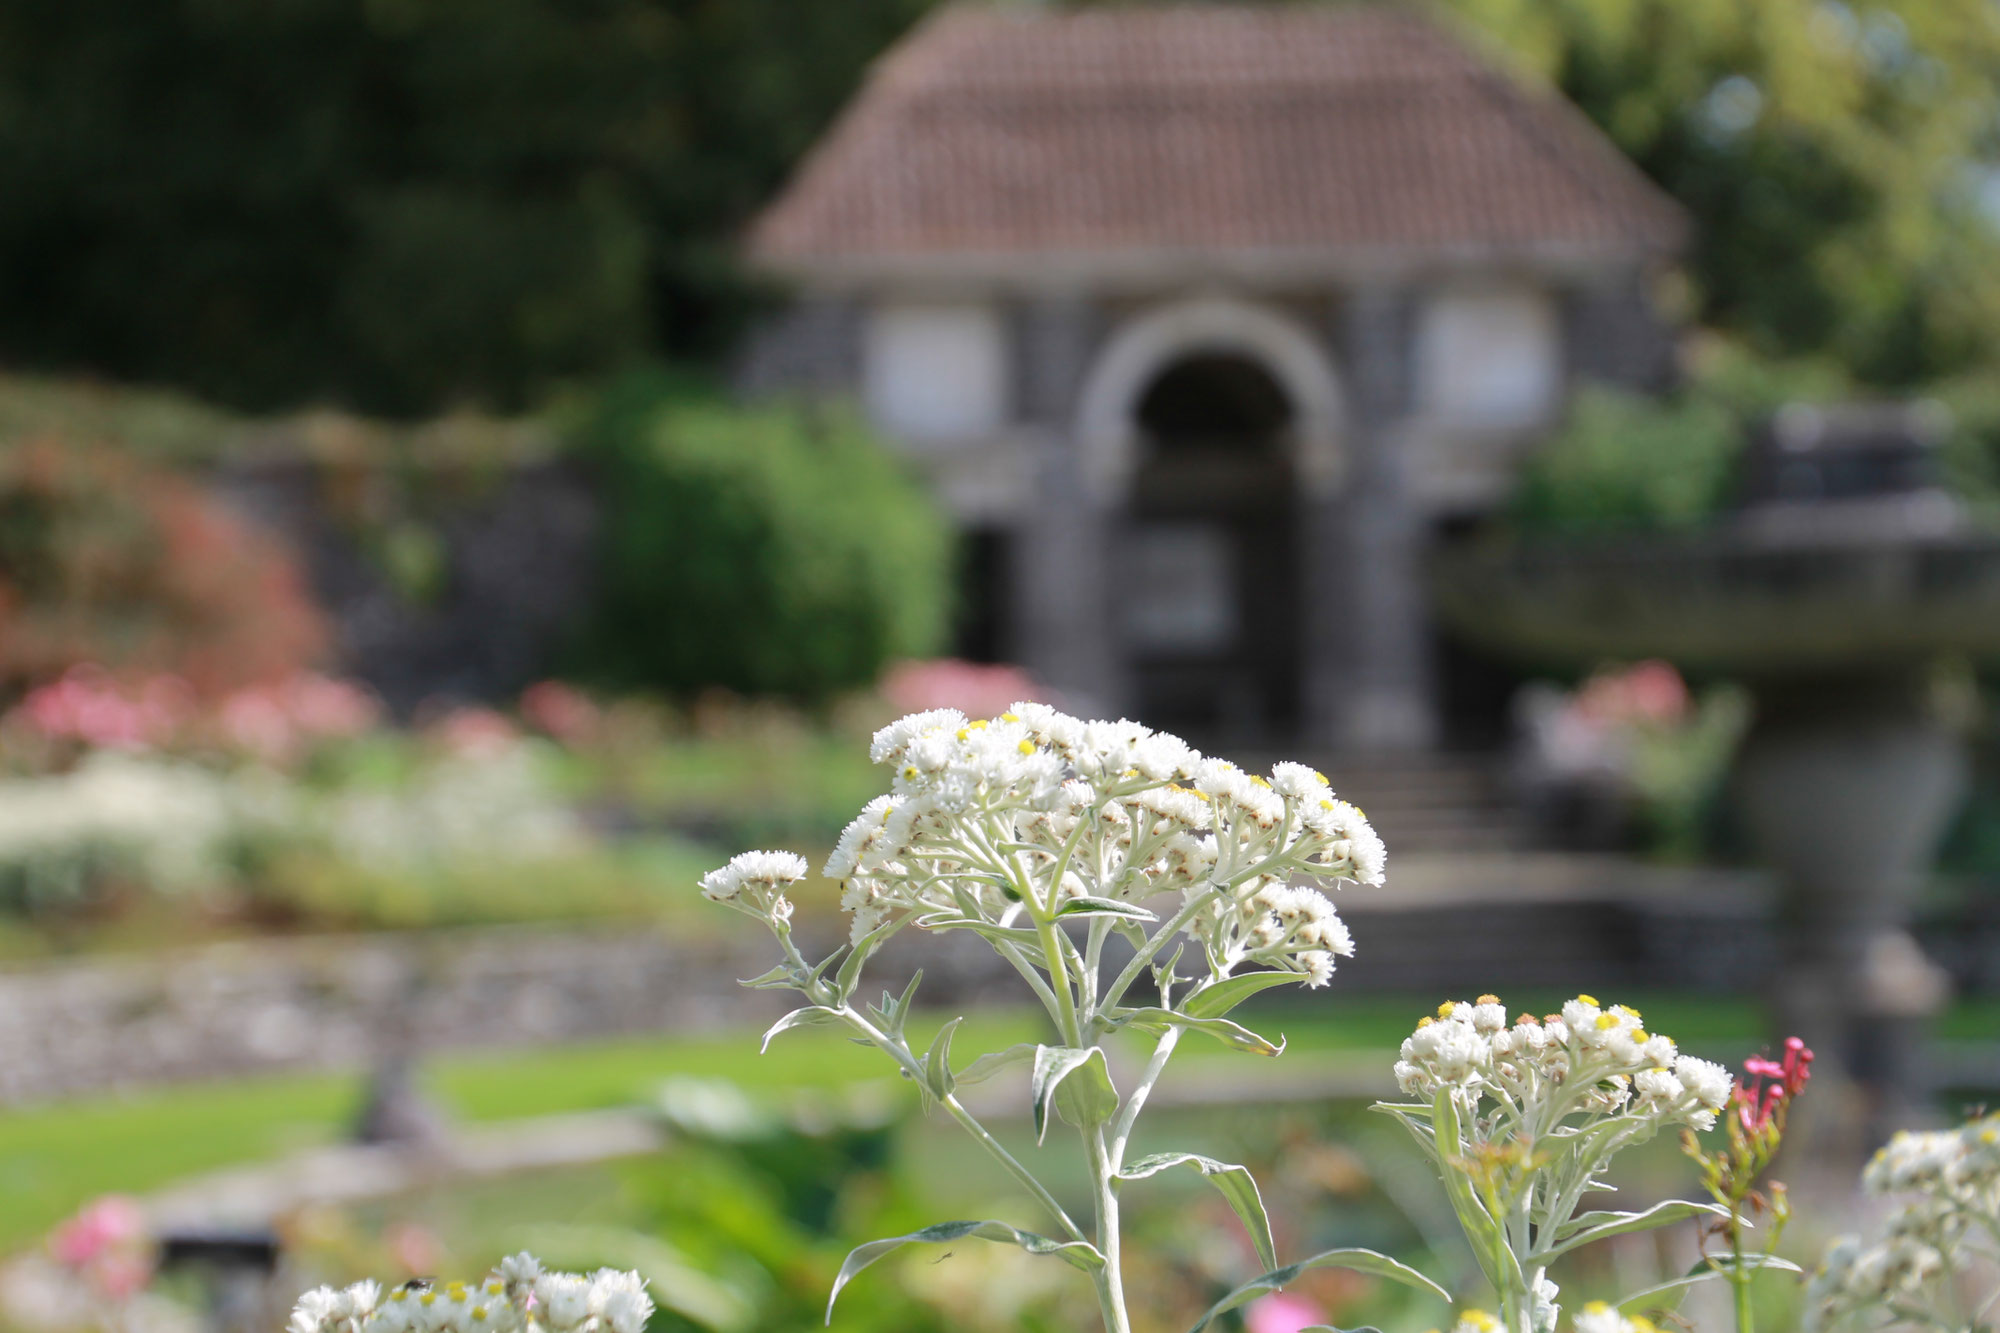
{"x": 765, "y": 549}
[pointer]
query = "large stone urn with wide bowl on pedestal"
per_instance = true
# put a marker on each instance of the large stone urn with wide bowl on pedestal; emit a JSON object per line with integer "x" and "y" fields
{"x": 1843, "y": 621}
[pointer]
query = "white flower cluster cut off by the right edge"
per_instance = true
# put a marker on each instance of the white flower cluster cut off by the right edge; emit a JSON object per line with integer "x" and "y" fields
{"x": 1955, "y": 1184}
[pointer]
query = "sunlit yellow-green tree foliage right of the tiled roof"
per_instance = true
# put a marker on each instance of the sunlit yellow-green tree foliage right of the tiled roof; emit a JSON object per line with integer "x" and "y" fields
{"x": 1837, "y": 161}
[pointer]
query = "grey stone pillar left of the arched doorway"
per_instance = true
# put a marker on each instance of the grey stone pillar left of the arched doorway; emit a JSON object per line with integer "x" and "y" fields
{"x": 1063, "y": 547}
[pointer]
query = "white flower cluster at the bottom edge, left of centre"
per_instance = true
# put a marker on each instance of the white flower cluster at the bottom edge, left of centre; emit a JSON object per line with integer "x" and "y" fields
{"x": 515, "y": 1298}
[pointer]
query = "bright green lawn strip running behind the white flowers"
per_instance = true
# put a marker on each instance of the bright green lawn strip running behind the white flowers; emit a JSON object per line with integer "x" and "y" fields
{"x": 59, "y": 1156}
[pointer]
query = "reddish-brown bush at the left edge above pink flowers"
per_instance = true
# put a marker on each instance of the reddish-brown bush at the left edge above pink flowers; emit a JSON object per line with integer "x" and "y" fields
{"x": 111, "y": 561}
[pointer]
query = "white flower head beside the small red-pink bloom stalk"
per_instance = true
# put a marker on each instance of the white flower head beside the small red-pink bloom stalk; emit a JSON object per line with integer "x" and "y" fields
{"x": 1585, "y": 1060}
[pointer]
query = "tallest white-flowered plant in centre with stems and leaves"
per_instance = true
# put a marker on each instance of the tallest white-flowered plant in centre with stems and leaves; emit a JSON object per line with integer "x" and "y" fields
{"x": 1091, "y": 856}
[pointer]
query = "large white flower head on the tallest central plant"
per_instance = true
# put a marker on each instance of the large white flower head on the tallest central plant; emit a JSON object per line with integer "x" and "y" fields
{"x": 985, "y": 814}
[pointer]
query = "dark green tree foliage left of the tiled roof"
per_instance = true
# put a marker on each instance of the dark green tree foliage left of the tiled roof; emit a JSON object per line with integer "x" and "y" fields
{"x": 399, "y": 203}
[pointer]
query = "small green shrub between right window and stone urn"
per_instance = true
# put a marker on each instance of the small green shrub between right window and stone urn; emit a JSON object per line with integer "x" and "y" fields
{"x": 1625, "y": 463}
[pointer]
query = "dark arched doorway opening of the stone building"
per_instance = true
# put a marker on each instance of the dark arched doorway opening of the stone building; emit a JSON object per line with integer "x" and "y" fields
{"x": 1207, "y": 565}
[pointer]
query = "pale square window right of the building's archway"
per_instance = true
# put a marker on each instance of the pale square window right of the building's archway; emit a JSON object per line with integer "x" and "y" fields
{"x": 1489, "y": 359}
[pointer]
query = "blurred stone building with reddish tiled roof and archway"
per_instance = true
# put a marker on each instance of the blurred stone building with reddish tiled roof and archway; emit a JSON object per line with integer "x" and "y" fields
{"x": 1205, "y": 323}
